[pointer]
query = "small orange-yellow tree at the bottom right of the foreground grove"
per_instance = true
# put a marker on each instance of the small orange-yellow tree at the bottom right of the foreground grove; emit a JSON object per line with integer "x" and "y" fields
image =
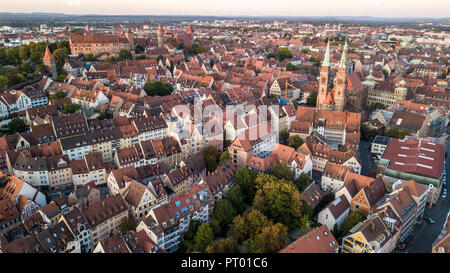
{"x": 271, "y": 239}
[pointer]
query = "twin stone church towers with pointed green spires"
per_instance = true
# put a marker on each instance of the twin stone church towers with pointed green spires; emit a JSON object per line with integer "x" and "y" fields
{"x": 333, "y": 98}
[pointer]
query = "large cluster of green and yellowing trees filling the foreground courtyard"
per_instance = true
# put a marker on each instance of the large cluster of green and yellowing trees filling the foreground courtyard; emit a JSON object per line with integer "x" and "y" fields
{"x": 254, "y": 216}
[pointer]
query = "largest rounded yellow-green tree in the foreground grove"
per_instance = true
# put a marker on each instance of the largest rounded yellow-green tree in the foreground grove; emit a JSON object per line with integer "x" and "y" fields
{"x": 280, "y": 201}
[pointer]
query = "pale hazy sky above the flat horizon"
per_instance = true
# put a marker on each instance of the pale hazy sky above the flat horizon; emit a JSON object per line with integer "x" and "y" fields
{"x": 375, "y": 8}
